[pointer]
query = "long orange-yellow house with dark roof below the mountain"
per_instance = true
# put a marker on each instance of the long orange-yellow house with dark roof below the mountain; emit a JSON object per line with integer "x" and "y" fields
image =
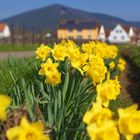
{"x": 79, "y": 30}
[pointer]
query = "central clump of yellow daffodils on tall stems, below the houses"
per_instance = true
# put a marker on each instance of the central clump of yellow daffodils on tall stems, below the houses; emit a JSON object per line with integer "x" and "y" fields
{"x": 88, "y": 60}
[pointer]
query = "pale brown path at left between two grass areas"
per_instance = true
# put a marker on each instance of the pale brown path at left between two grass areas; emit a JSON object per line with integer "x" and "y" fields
{"x": 4, "y": 55}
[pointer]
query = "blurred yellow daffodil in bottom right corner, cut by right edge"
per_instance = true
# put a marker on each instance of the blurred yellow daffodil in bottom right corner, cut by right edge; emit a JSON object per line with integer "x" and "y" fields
{"x": 129, "y": 121}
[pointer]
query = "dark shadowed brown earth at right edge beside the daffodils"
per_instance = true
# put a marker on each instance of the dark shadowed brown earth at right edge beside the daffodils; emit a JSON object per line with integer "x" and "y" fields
{"x": 130, "y": 80}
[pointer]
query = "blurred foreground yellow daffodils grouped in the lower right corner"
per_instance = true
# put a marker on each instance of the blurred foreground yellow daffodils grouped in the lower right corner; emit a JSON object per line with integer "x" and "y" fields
{"x": 103, "y": 126}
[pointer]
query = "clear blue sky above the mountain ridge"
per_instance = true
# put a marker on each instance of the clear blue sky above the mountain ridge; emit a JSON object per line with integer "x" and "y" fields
{"x": 126, "y": 9}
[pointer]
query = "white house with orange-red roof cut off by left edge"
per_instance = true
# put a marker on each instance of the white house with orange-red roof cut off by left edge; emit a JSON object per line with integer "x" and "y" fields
{"x": 4, "y": 30}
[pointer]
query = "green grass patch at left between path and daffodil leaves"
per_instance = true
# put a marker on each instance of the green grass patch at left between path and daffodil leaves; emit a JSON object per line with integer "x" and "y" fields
{"x": 14, "y": 70}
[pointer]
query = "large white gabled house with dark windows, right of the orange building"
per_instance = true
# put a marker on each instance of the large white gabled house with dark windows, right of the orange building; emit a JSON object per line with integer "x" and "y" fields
{"x": 119, "y": 35}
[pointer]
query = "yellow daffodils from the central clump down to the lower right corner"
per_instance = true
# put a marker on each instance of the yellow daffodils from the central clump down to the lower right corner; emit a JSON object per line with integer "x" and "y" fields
{"x": 89, "y": 60}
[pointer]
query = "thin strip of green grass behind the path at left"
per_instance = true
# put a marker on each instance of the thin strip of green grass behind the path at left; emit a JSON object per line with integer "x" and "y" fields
{"x": 18, "y": 47}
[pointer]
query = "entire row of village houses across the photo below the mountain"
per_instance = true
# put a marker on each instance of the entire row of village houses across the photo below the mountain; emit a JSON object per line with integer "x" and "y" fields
{"x": 81, "y": 30}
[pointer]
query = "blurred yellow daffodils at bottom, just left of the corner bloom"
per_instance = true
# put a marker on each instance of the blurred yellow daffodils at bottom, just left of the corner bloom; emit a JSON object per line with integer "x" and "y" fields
{"x": 101, "y": 126}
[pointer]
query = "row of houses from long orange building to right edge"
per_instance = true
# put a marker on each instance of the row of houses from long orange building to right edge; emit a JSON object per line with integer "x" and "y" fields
{"x": 82, "y": 30}
